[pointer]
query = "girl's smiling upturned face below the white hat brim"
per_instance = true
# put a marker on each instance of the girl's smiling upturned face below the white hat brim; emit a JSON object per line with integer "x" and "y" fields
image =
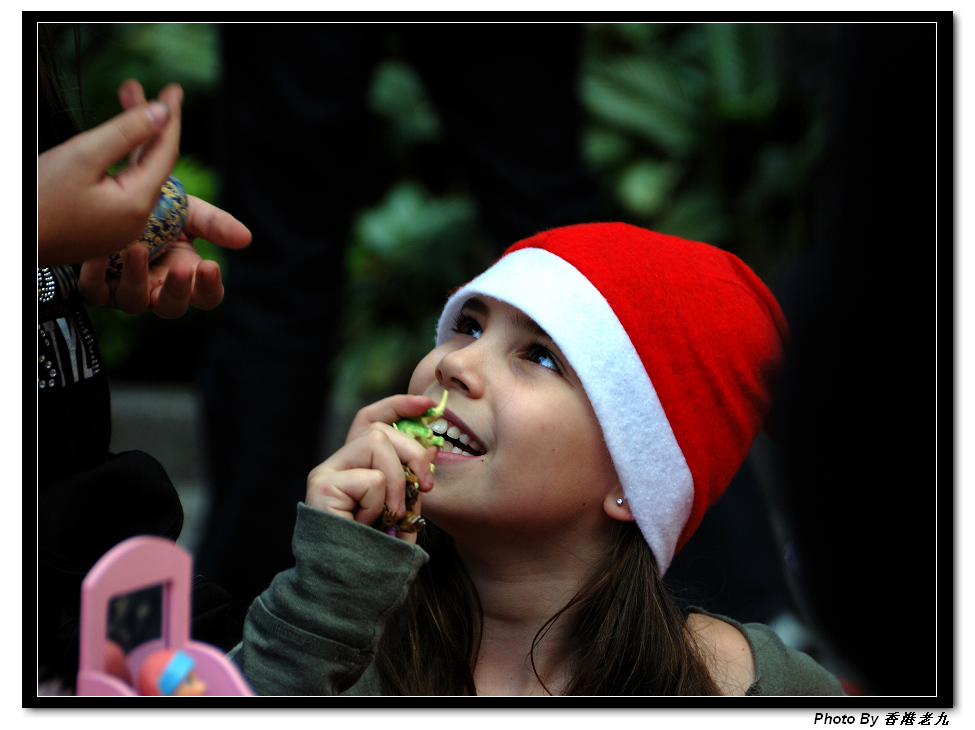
{"x": 532, "y": 460}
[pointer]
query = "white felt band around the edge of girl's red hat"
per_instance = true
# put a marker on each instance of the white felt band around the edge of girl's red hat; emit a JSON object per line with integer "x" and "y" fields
{"x": 655, "y": 477}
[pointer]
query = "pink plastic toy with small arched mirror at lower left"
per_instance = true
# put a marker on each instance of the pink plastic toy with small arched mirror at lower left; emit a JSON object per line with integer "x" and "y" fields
{"x": 134, "y": 565}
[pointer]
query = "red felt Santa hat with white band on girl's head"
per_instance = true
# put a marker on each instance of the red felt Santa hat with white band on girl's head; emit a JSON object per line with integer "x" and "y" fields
{"x": 676, "y": 343}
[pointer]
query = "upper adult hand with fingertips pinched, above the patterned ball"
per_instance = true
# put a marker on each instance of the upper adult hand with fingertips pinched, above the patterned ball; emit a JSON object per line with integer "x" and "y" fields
{"x": 82, "y": 212}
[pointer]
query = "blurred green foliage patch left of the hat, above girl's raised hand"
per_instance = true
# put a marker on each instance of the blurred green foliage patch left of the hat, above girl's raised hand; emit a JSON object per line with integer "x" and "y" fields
{"x": 405, "y": 253}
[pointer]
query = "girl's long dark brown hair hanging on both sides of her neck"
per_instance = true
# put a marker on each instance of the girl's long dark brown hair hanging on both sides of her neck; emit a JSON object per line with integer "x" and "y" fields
{"x": 626, "y": 636}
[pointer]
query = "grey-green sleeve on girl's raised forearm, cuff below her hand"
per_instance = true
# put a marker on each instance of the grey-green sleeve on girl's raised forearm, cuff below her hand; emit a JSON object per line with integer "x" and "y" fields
{"x": 314, "y": 630}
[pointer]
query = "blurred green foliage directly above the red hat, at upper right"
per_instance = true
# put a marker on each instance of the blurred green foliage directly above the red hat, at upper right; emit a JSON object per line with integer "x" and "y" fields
{"x": 698, "y": 134}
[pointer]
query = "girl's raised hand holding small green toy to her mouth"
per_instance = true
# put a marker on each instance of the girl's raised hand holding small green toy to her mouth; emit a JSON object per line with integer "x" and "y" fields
{"x": 367, "y": 471}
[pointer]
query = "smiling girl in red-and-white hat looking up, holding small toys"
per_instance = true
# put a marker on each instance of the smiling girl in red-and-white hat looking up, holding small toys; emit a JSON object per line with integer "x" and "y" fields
{"x": 605, "y": 384}
